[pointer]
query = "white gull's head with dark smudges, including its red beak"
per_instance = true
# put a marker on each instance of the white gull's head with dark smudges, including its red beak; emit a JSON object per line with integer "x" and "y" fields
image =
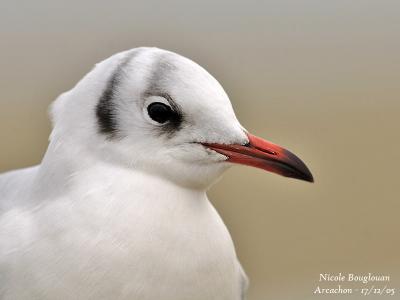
{"x": 155, "y": 111}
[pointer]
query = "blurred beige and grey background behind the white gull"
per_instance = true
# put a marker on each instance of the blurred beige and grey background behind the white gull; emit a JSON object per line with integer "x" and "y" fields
{"x": 319, "y": 77}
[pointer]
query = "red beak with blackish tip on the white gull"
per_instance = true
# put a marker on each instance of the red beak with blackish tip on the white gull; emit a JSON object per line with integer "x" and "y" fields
{"x": 265, "y": 155}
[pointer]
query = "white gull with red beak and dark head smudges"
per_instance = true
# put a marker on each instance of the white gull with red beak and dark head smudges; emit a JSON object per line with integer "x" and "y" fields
{"x": 118, "y": 209}
